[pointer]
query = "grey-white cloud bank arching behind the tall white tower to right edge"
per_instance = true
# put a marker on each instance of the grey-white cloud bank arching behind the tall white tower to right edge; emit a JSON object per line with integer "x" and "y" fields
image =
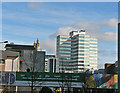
{"x": 94, "y": 29}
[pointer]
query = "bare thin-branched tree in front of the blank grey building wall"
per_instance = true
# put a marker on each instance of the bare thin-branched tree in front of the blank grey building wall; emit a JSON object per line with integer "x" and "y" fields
{"x": 33, "y": 65}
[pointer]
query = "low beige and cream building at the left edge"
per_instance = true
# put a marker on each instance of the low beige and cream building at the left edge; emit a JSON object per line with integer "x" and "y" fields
{"x": 9, "y": 61}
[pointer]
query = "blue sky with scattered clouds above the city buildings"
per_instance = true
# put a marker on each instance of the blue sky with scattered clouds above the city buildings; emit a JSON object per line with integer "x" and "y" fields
{"x": 23, "y": 23}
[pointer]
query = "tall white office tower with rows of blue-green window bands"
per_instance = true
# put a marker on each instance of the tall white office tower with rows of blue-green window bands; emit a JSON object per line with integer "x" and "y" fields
{"x": 76, "y": 52}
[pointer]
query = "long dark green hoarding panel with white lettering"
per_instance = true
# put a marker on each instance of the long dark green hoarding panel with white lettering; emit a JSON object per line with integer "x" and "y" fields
{"x": 47, "y": 76}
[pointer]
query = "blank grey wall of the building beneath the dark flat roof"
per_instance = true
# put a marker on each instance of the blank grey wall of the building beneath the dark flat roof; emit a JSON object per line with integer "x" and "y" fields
{"x": 32, "y": 59}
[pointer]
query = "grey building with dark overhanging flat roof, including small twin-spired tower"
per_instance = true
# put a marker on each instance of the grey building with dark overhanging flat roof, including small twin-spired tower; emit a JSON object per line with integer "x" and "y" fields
{"x": 31, "y": 56}
